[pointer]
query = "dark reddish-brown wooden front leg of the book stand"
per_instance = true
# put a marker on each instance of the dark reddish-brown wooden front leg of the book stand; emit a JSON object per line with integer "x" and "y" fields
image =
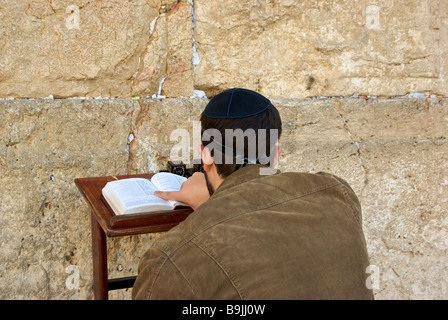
{"x": 99, "y": 256}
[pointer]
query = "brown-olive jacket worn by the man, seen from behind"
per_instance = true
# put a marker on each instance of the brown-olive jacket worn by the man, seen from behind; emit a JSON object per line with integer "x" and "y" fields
{"x": 281, "y": 236}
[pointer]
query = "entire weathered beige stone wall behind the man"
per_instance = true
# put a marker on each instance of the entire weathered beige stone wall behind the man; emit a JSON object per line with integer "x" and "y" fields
{"x": 361, "y": 87}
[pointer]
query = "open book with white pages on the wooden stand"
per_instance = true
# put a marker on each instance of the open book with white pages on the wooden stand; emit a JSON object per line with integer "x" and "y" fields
{"x": 136, "y": 195}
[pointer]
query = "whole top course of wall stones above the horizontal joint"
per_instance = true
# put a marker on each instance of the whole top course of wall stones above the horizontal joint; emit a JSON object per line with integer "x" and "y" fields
{"x": 284, "y": 49}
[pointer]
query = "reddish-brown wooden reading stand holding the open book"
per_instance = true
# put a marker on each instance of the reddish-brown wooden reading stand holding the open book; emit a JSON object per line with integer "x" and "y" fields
{"x": 106, "y": 224}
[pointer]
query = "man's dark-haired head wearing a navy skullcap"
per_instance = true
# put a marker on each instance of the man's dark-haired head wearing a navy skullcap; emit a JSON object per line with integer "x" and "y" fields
{"x": 239, "y": 127}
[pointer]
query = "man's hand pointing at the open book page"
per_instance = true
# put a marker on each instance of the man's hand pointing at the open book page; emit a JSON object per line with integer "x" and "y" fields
{"x": 193, "y": 192}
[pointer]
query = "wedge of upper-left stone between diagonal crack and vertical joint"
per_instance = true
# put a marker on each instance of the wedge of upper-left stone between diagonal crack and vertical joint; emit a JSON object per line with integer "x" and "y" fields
{"x": 166, "y": 65}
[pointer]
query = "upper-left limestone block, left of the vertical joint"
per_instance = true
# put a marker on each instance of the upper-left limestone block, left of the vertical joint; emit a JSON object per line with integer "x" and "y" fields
{"x": 86, "y": 48}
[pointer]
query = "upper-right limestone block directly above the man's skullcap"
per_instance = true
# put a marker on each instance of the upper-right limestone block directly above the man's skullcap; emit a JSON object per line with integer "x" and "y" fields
{"x": 290, "y": 49}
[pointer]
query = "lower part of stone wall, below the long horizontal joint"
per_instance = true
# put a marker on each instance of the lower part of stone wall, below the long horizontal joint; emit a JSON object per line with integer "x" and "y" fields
{"x": 395, "y": 166}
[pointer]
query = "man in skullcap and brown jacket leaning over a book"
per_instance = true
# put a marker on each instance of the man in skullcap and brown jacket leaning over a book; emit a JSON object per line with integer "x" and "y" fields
{"x": 255, "y": 235}
